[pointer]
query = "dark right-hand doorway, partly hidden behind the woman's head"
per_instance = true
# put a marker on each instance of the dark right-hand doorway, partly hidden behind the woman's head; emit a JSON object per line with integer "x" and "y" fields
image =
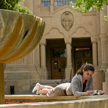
{"x": 82, "y": 52}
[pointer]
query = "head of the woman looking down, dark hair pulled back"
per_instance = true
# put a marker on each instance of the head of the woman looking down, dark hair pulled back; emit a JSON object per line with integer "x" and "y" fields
{"x": 86, "y": 70}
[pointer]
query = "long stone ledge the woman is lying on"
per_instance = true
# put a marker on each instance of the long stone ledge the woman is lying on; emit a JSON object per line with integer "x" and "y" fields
{"x": 44, "y": 98}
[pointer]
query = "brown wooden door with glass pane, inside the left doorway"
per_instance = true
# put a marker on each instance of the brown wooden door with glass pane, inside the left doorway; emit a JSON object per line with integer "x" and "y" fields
{"x": 58, "y": 63}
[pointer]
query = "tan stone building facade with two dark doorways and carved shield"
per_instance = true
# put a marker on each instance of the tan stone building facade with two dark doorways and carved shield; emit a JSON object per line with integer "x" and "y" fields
{"x": 69, "y": 40}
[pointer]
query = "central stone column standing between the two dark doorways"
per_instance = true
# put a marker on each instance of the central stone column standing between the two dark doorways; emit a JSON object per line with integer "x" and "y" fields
{"x": 69, "y": 59}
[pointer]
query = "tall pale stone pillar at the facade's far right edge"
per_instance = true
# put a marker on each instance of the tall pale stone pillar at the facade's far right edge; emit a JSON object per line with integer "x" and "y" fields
{"x": 103, "y": 36}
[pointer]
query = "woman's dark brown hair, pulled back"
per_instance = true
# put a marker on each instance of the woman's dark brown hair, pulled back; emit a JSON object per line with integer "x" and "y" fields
{"x": 86, "y": 67}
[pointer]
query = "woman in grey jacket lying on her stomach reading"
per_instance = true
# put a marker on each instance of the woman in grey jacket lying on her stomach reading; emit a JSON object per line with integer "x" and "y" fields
{"x": 81, "y": 84}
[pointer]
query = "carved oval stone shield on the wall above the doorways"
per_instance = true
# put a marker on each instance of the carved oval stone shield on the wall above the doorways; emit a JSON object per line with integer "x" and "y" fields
{"x": 67, "y": 20}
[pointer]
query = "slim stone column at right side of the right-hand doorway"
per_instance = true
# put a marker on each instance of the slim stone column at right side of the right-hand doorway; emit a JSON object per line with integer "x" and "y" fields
{"x": 94, "y": 48}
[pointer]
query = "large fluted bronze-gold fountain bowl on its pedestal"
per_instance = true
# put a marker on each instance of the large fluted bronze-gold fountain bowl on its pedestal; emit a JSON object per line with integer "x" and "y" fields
{"x": 19, "y": 34}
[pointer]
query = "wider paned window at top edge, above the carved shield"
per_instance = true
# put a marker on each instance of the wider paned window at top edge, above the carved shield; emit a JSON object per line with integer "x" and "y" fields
{"x": 63, "y": 2}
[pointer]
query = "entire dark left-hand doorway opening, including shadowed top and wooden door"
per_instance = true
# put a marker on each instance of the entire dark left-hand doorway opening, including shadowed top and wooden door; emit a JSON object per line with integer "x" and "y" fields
{"x": 56, "y": 58}
